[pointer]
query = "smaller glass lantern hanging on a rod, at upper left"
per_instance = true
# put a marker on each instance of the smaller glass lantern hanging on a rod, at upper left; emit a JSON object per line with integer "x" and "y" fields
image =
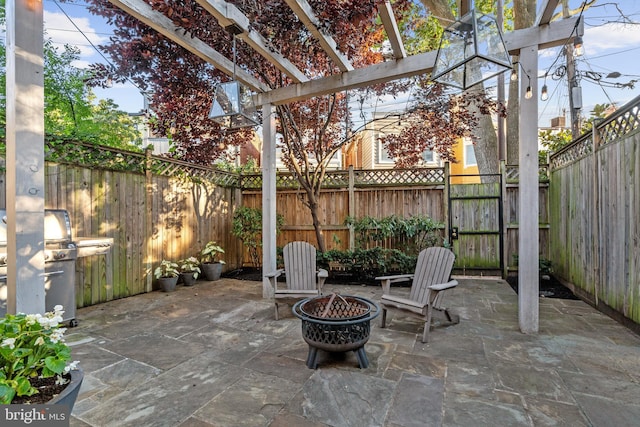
{"x": 233, "y": 105}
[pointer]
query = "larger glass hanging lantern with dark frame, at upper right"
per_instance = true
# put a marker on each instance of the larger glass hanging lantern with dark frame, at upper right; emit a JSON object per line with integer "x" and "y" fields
{"x": 471, "y": 50}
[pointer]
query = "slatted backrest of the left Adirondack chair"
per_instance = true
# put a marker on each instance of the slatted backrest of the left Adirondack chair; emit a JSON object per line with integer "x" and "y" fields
{"x": 300, "y": 265}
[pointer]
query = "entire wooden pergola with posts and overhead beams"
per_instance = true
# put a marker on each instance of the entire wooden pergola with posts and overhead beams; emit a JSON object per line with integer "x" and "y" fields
{"x": 25, "y": 123}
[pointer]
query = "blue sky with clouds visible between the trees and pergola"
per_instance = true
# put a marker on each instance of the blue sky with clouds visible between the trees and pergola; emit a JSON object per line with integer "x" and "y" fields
{"x": 610, "y": 46}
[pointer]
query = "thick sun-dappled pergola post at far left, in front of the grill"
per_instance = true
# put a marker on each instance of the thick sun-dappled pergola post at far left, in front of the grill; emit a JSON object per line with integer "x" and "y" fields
{"x": 25, "y": 157}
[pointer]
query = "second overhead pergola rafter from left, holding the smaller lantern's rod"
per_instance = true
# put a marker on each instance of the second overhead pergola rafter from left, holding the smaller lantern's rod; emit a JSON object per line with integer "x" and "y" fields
{"x": 227, "y": 14}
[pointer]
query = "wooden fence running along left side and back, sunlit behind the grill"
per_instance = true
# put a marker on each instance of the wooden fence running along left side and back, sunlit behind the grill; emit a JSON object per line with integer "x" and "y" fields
{"x": 157, "y": 208}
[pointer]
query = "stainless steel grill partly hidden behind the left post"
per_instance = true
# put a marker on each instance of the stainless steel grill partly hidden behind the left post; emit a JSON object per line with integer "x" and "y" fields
{"x": 60, "y": 253}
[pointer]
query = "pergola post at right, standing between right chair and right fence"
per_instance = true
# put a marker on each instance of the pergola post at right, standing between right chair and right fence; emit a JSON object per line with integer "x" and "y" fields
{"x": 528, "y": 228}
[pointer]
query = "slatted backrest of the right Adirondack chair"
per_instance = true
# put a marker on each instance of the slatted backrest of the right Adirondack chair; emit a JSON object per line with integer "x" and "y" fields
{"x": 433, "y": 267}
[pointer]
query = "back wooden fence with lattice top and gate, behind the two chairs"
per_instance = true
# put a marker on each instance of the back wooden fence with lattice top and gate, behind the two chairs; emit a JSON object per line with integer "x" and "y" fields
{"x": 402, "y": 192}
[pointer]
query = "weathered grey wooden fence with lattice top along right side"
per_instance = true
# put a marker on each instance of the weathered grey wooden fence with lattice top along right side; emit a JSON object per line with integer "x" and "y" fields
{"x": 595, "y": 212}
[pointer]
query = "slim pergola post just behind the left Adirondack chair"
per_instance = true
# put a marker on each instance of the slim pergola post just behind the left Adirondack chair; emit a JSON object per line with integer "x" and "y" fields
{"x": 268, "y": 196}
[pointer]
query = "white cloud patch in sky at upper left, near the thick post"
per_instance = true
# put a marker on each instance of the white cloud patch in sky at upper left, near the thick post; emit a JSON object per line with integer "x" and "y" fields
{"x": 62, "y": 31}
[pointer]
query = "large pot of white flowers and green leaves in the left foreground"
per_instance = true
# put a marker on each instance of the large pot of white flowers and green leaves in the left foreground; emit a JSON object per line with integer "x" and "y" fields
{"x": 35, "y": 365}
